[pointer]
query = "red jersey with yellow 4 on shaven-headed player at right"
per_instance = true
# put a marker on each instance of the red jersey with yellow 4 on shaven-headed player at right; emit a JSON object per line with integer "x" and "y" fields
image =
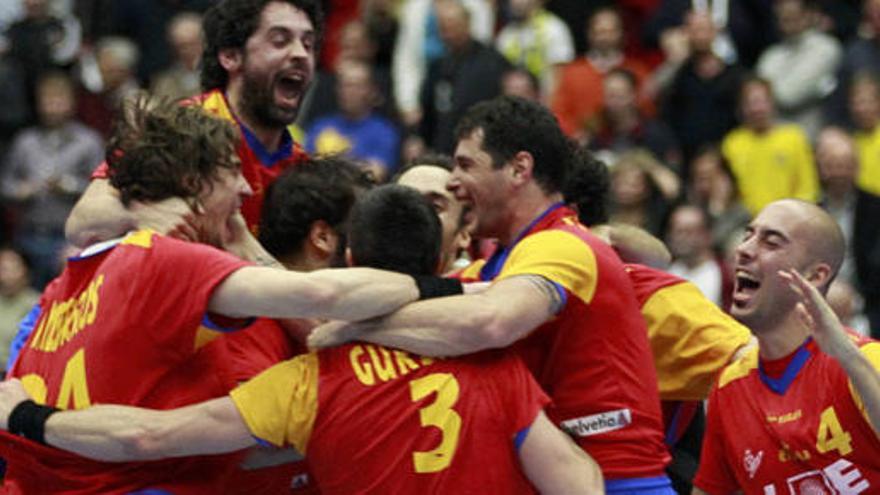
{"x": 793, "y": 425}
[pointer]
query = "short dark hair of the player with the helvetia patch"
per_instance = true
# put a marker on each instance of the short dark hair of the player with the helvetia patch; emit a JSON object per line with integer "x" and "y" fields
{"x": 510, "y": 125}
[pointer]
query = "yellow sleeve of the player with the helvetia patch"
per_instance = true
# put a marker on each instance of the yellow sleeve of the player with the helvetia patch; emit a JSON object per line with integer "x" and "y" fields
{"x": 558, "y": 256}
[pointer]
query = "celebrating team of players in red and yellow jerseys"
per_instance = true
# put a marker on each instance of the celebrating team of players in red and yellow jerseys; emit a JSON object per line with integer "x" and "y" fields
{"x": 245, "y": 318}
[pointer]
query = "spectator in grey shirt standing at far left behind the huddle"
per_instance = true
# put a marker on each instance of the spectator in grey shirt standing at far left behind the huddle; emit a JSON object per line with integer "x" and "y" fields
{"x": 47, "y": 168}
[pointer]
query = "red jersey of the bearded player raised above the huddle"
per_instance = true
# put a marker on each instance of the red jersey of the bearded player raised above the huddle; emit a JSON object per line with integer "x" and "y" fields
{"x": 259, "y": 167}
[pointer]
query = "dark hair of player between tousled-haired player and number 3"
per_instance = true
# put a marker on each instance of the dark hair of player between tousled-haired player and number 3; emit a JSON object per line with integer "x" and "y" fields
{"x": 316, "y": 189}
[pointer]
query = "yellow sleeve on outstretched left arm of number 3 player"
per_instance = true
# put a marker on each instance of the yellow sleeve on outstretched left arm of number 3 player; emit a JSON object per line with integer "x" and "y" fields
{"x": 280, "y": 404}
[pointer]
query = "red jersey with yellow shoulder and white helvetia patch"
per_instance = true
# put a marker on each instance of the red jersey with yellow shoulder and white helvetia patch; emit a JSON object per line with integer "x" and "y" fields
{"x": 593, "y": 358}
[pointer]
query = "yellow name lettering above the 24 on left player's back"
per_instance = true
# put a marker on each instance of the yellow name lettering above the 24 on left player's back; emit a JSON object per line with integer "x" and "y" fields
{"x": 65, "y": 319}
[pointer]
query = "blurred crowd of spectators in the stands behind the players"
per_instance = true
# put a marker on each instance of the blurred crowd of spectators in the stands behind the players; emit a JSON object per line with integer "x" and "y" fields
{"x": 704, "y": 110}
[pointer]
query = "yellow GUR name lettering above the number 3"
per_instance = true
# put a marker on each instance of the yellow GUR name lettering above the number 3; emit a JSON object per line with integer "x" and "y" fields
{"x": 373, "y": 364}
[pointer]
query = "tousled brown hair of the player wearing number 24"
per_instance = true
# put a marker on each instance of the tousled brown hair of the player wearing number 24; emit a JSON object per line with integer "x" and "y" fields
{"x": 160, "y": 149}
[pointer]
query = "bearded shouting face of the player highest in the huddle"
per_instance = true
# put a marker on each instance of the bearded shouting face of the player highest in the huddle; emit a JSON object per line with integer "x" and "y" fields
{"x": 276, "y": 66}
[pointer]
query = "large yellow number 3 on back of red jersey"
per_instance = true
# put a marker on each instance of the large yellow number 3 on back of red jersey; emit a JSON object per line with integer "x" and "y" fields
{"x": 440, "y": 415}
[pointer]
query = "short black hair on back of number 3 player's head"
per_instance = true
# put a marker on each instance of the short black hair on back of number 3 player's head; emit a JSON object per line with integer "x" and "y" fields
{"x": 394, "y": 228}
